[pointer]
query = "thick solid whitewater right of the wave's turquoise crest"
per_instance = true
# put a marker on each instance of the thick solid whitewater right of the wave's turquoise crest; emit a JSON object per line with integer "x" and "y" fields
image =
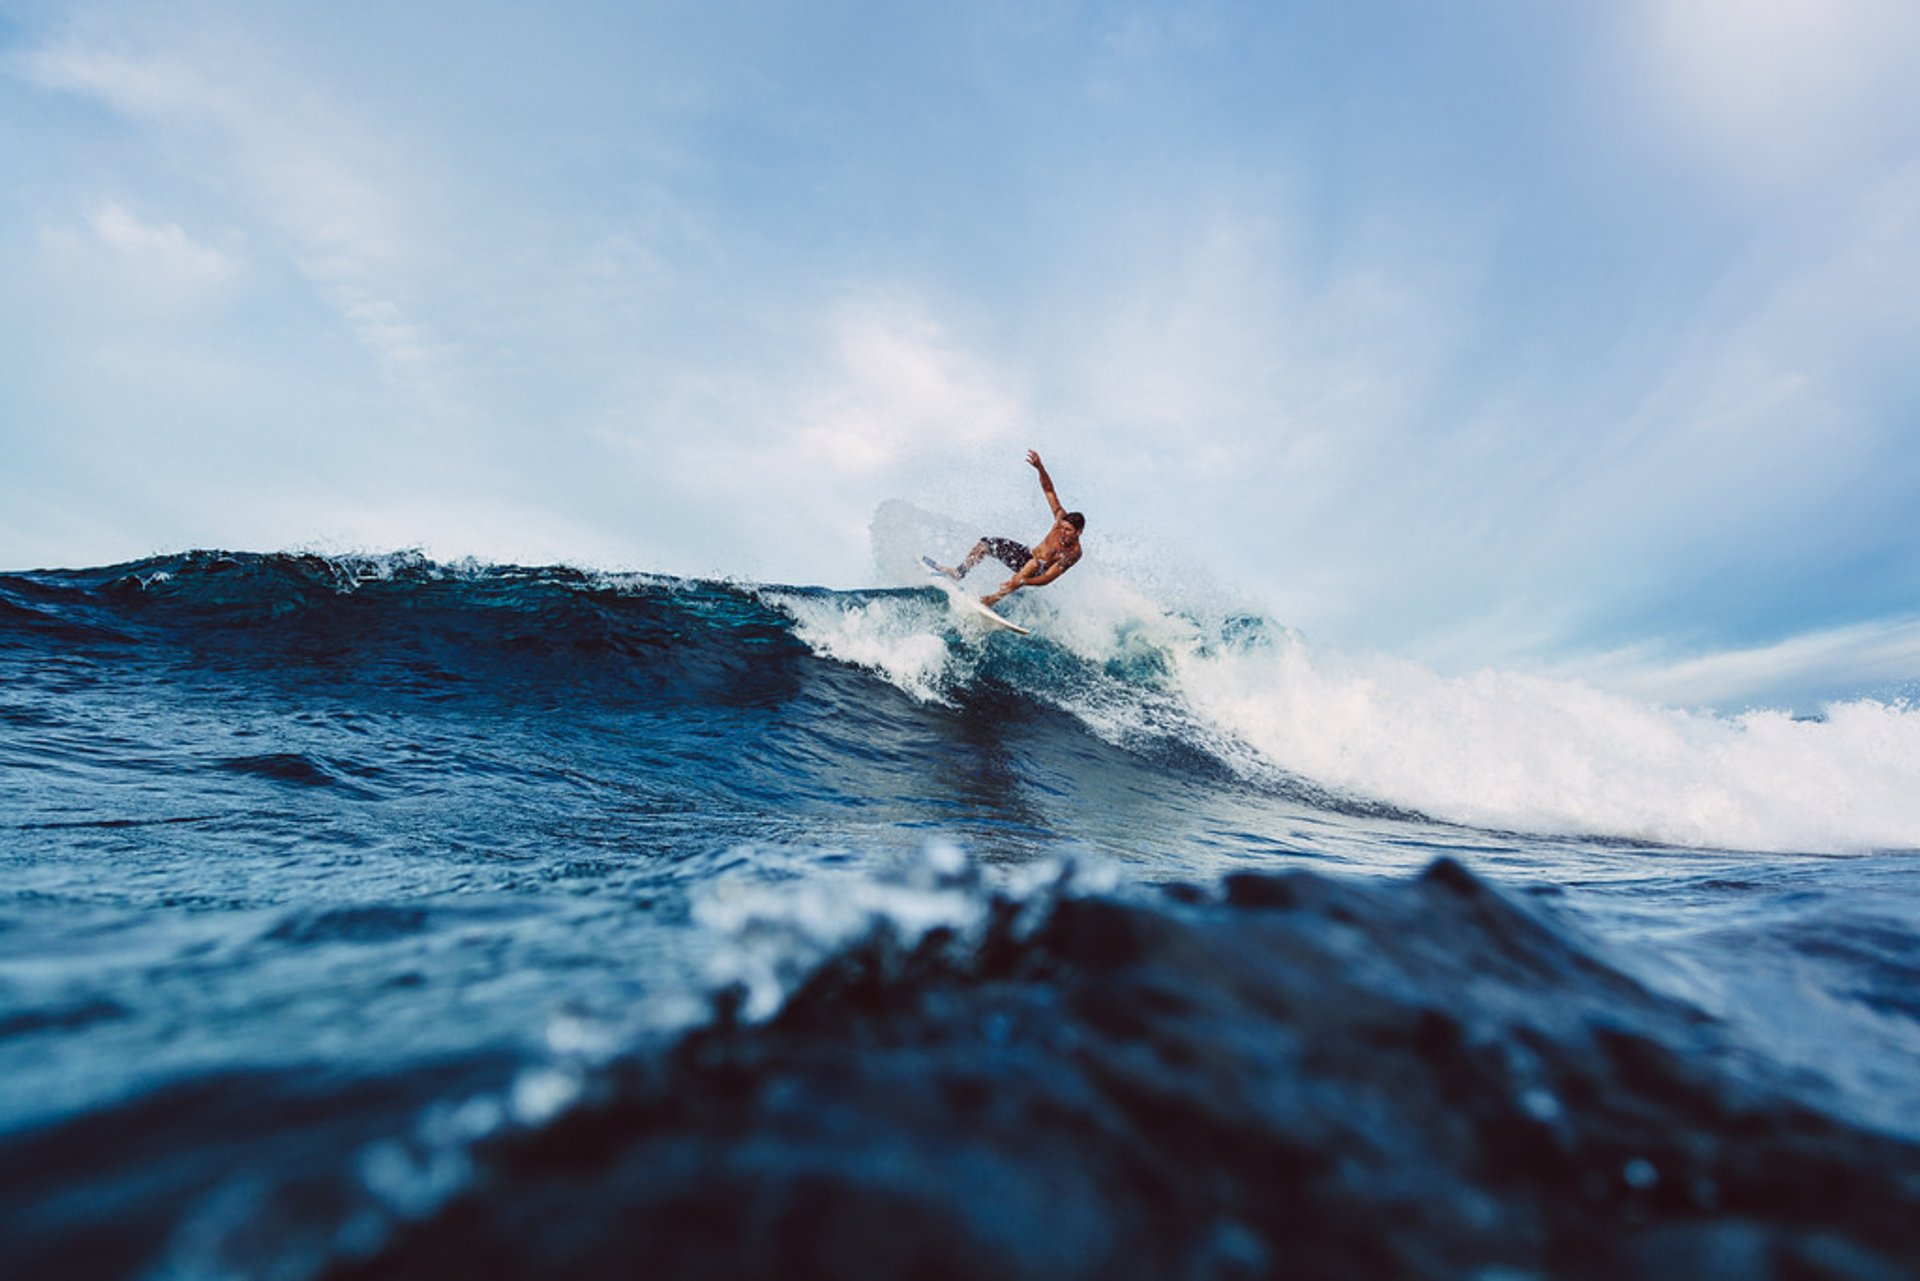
{"x": 1500, "y": 750}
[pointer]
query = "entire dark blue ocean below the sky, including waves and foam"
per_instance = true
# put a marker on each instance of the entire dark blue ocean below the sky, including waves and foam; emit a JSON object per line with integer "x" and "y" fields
{"x": 372, "y": 917}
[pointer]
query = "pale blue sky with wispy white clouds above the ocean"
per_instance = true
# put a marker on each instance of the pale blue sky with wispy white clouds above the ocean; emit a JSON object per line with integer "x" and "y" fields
{"x": 1579, "y": 337}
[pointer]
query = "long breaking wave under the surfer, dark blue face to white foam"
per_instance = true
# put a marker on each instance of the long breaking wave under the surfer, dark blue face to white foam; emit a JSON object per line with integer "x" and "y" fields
{"x": 1491, "y": 750}
